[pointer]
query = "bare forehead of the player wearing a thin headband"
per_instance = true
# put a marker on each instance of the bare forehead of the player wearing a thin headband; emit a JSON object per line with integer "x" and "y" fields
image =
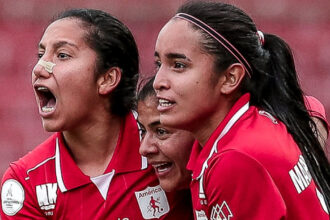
{"x": 178, "y": 36}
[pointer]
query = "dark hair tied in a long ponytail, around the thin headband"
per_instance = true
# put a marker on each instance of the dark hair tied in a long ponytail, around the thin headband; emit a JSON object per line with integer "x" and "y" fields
{"x": 273, "y": 85}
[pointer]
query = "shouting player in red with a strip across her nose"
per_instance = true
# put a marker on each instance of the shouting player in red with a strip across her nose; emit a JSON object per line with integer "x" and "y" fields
{"x": 90, "y": 168}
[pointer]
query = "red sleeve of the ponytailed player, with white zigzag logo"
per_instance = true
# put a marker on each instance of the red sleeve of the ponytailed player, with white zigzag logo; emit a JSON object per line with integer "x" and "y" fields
{"x": 238, "y": 187}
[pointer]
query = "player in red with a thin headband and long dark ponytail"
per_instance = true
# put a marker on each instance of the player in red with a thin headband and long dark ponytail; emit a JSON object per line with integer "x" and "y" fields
{"x": 256, "y": 156}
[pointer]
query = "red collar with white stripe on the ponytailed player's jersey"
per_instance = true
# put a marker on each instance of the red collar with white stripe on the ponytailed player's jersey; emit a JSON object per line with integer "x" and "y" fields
{"x": 199, "y": 155}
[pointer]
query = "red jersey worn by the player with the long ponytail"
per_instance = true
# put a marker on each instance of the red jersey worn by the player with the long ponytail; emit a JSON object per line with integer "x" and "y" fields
{"x": 251, "y": 168}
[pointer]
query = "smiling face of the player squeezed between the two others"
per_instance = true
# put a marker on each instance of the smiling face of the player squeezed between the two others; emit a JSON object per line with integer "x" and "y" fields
{"x": 167, "y": 150}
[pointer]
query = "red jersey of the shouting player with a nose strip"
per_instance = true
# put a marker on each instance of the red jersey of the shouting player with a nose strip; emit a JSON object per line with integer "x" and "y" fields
{"x": 47, "y": 184}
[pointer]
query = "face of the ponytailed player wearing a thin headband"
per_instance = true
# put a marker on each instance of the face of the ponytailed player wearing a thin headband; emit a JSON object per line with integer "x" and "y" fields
{"x": 186, "y": 84}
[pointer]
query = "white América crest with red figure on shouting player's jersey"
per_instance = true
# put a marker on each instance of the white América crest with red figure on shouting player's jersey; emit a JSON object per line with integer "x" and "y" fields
{"x": 152, "y": 202}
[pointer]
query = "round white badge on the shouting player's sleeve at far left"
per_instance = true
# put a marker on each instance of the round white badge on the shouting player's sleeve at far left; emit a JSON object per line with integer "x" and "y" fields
{"x": 12, "y": 197}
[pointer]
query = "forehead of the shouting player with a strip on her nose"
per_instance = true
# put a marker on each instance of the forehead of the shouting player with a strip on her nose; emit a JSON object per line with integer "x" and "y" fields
{"x": 62, "y": 30}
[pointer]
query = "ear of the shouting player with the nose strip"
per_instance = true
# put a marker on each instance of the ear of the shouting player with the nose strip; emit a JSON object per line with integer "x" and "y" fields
{"x": 109, "y": 80}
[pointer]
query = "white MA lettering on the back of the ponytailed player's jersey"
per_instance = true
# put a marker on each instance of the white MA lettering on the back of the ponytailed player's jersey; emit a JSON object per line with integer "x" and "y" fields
{"x": 300, "y": 175}
